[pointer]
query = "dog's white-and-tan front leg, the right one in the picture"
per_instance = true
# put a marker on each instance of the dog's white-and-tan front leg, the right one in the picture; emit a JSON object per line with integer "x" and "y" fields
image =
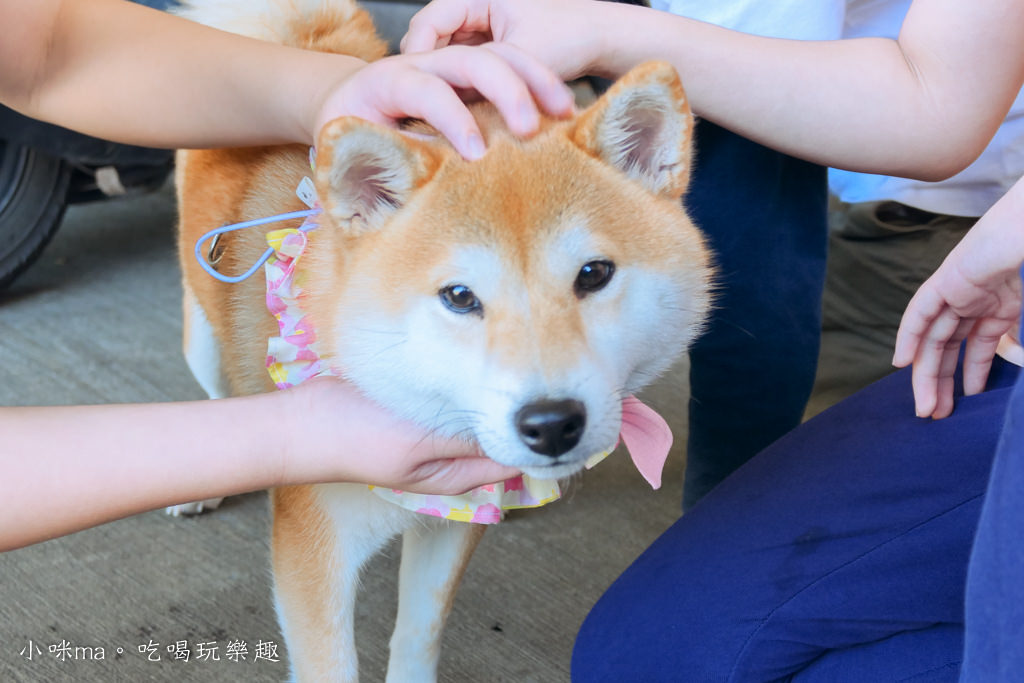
{"x": 434, "y": 559}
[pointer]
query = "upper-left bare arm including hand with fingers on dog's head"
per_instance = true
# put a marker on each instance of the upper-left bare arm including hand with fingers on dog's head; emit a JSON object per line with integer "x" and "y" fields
{"x": 131, "y": 74}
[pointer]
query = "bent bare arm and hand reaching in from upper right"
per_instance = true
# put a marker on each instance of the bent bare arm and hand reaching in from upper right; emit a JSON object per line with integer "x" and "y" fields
{"x": 923, "y": 107}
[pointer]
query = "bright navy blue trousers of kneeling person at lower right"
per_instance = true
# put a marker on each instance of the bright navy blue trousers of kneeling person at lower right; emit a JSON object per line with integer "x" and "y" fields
{"x": 840, "y": 553}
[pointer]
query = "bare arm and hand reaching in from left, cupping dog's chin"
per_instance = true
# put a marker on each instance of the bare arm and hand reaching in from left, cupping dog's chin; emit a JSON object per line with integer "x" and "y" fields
{"x": 67, "y": 469}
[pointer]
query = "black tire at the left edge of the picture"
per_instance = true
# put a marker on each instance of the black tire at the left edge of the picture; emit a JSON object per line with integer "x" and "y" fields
{"x": 33, "y": 197}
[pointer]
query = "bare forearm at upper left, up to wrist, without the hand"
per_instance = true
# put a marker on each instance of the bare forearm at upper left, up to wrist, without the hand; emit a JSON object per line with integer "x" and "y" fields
{"x": 139, "y": 76}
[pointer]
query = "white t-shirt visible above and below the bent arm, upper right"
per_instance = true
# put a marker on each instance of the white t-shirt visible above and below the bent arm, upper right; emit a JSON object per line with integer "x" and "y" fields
{"x": 970, "y": 193}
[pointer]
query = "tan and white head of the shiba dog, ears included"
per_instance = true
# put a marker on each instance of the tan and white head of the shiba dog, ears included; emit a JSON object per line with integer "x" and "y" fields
{"x": 517, "y": 300}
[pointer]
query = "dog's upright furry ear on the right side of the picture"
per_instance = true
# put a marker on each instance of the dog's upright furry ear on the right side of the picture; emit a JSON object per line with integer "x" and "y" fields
{"x": 644, "y": 127}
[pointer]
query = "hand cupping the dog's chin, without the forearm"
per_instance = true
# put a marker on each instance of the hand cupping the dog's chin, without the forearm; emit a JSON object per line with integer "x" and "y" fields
{"x": 331, "y": 433}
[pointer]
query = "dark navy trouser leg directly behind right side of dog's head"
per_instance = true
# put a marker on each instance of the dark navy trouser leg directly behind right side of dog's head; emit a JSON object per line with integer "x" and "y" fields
{"x": 752, "y": 372}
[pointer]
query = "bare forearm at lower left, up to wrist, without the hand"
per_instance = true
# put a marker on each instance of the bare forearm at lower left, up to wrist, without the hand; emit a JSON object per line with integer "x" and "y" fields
{"x": 71, "y": 468}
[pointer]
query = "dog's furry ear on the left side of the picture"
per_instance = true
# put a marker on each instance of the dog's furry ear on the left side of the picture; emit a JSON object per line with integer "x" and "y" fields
{"x": 365, "y": 173}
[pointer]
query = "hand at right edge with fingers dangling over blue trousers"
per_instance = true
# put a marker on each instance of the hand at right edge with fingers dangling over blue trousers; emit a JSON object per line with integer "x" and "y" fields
{"x": 974, "y": 295}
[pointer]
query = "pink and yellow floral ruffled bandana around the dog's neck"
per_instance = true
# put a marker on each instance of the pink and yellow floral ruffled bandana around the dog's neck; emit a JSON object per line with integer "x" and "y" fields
{"x": 293, "y": 358}
